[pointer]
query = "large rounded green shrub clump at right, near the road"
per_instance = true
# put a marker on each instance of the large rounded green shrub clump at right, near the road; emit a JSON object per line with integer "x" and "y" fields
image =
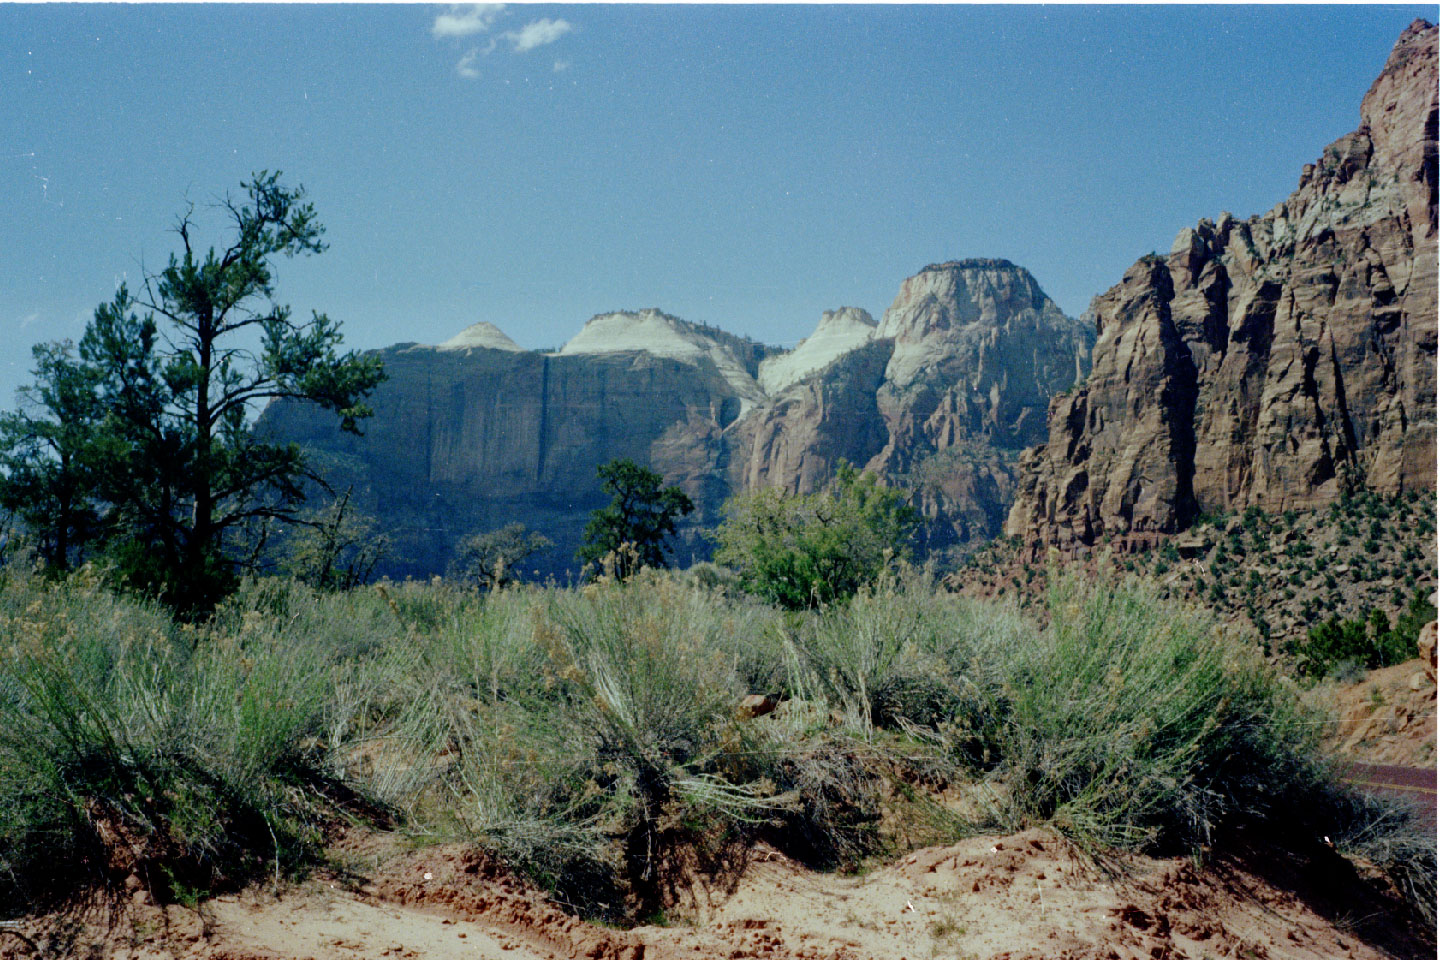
{"x": 1135, "y": 723}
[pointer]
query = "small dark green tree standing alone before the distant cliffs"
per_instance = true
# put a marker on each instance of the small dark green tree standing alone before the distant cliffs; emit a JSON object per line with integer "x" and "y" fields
{"x": 640, "y": 517}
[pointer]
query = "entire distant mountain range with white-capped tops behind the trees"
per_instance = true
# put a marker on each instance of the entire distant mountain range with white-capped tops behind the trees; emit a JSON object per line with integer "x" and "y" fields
{"x": 477, "y": 434}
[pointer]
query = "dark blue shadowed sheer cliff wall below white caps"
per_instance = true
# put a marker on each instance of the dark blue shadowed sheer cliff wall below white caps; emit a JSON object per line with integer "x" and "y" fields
{"x": 470, "y": 441}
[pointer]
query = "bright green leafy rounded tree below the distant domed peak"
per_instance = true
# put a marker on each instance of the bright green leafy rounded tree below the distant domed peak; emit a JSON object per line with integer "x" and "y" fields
{"x": 810, "y": 551}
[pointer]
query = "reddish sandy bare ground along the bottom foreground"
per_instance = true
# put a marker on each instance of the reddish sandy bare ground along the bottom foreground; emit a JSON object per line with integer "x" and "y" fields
{"x": 1023, "y": 896}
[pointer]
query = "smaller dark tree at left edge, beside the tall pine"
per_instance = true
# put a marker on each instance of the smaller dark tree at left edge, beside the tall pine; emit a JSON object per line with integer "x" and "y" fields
{"x": 47, "y": 456}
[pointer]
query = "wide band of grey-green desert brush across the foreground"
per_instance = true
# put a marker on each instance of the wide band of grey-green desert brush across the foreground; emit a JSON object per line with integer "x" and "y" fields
{"x": 591, "y": 736}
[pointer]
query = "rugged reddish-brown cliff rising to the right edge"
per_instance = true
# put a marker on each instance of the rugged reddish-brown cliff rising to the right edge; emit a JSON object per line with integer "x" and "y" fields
{"x": 1268, "y": 362}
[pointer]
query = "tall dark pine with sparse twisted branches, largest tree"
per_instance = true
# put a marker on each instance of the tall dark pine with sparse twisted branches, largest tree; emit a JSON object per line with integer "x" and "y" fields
{"x": 179, "y": 368}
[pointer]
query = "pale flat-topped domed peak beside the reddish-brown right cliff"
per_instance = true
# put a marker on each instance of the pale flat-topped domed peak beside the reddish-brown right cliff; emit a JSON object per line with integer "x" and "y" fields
{"x": 941, "y": 397}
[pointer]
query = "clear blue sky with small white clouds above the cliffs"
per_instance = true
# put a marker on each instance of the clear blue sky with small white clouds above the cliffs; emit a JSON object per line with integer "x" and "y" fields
{"x": 744, "y": 166}
